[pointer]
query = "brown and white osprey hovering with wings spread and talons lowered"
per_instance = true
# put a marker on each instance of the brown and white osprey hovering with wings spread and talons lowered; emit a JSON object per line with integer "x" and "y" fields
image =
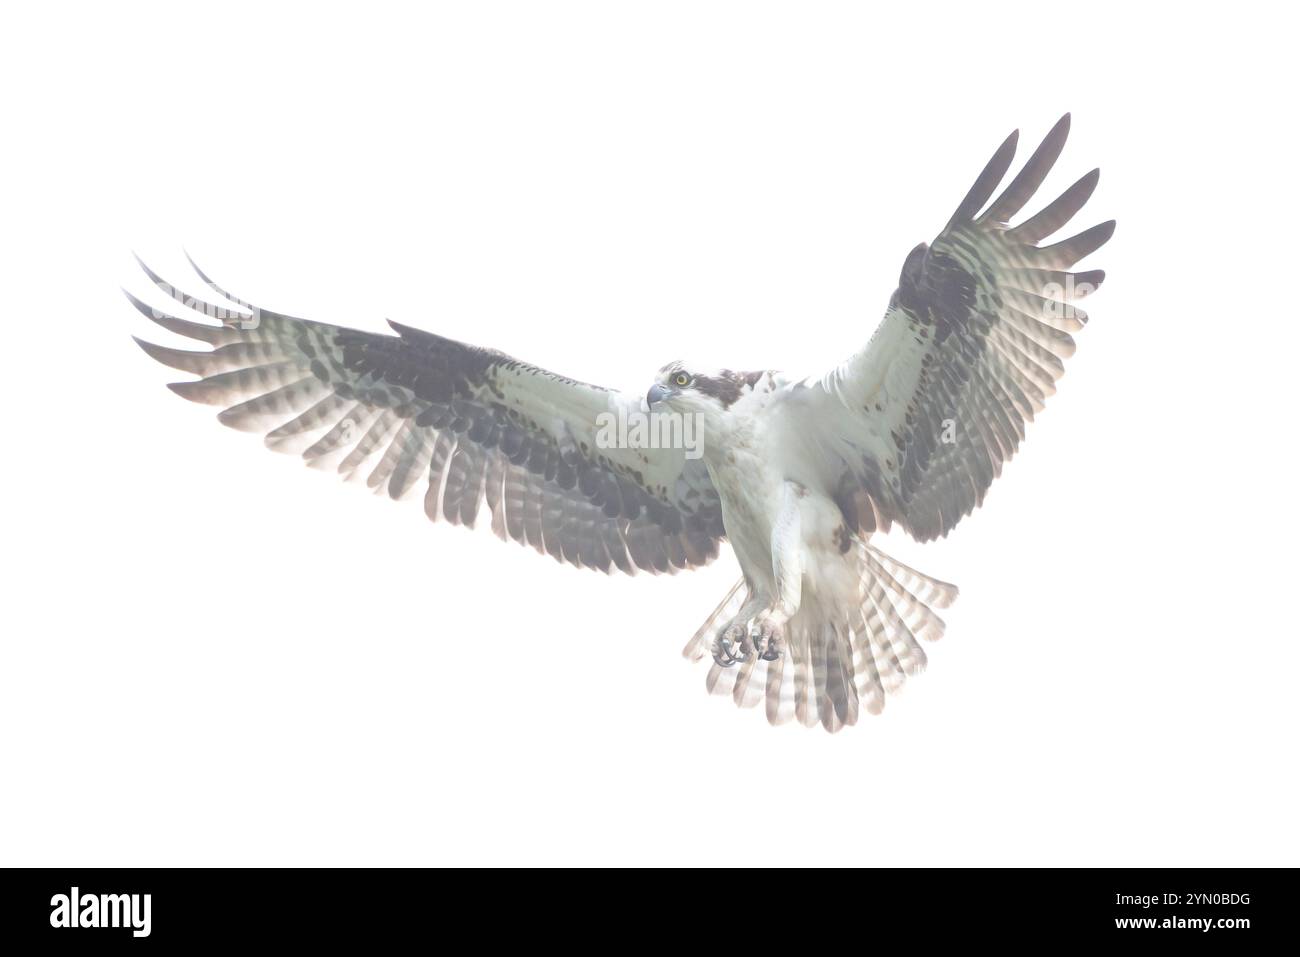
{"x": 796, "y": 475}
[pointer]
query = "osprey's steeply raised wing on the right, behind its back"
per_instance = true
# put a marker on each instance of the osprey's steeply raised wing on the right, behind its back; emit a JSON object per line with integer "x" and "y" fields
{"x": 918, "y": 425}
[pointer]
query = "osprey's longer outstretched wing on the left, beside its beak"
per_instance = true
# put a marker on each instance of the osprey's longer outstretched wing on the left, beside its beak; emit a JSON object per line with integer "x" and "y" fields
{"x": 463, "y": 425}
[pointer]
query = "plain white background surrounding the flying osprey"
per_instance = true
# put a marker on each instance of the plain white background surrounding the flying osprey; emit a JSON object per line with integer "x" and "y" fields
{"x": 213, "y": 656}
